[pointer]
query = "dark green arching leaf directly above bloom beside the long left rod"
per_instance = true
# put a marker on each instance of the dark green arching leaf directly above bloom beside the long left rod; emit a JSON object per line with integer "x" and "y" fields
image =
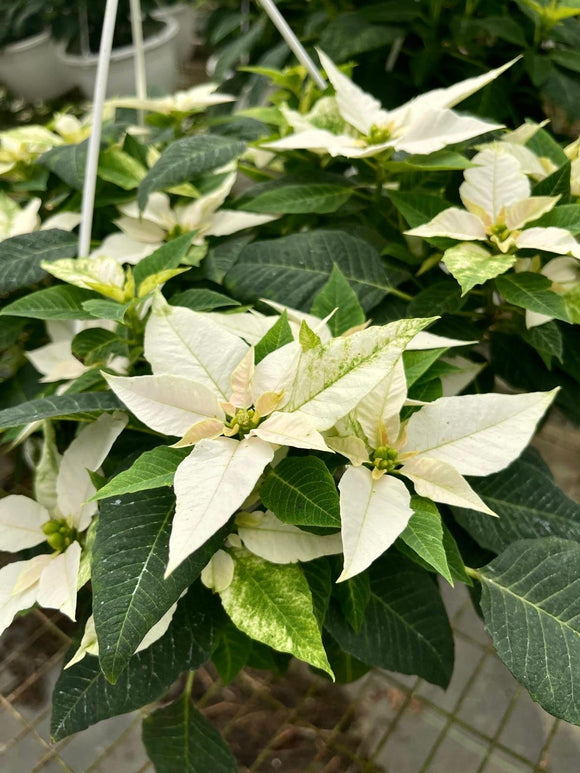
{"x": 187, "y": 158}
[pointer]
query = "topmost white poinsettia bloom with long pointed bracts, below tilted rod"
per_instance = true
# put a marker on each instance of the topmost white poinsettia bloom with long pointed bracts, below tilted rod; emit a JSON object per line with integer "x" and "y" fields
{"x": 354, "y": 124}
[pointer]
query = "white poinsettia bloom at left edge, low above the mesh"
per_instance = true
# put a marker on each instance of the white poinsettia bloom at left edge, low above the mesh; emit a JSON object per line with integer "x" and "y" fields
{"x": 59, "y": 516}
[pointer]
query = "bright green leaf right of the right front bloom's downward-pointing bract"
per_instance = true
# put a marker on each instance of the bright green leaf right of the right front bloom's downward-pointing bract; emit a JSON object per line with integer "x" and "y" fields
{"x": 424, "y": 535}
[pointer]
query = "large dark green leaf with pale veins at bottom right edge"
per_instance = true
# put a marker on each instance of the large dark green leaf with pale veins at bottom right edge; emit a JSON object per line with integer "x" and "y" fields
{"x": 531, "y": 606}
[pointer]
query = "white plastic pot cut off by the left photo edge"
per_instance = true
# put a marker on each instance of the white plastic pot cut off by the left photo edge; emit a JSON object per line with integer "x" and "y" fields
{"x": 30, "y": 68}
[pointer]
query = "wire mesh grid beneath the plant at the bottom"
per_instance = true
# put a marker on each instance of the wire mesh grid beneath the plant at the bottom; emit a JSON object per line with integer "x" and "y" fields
{"x": 301, "y": 723}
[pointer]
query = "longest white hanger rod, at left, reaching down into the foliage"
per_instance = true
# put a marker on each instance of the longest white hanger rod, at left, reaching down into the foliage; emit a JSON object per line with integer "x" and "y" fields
{"x": 90, "y": 182}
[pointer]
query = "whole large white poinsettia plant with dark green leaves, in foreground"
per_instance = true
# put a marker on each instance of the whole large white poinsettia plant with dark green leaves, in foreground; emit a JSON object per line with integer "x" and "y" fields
{"x": 269, "y": 408}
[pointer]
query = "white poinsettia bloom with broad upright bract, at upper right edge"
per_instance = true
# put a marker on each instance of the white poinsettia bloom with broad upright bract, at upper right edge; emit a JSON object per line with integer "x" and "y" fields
{"x": 498, "y": 206}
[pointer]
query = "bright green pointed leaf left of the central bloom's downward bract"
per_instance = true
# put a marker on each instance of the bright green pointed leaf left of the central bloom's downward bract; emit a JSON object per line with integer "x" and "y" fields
{"x": 153, "y": 469}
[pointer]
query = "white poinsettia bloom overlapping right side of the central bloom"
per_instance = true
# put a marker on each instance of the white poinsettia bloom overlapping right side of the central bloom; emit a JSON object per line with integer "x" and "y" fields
{"x": 435, "y": 448}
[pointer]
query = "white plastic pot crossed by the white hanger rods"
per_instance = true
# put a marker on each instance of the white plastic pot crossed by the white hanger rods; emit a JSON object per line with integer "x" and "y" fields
{"x": 160, "y": 64}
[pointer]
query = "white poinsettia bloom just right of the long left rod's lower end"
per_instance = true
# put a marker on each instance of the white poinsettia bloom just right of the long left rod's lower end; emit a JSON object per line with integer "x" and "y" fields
{"x": 144, "y": 232}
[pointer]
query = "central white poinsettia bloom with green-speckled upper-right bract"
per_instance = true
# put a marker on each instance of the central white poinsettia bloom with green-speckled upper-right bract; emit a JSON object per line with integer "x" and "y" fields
{"x": 207, "y": 390}
